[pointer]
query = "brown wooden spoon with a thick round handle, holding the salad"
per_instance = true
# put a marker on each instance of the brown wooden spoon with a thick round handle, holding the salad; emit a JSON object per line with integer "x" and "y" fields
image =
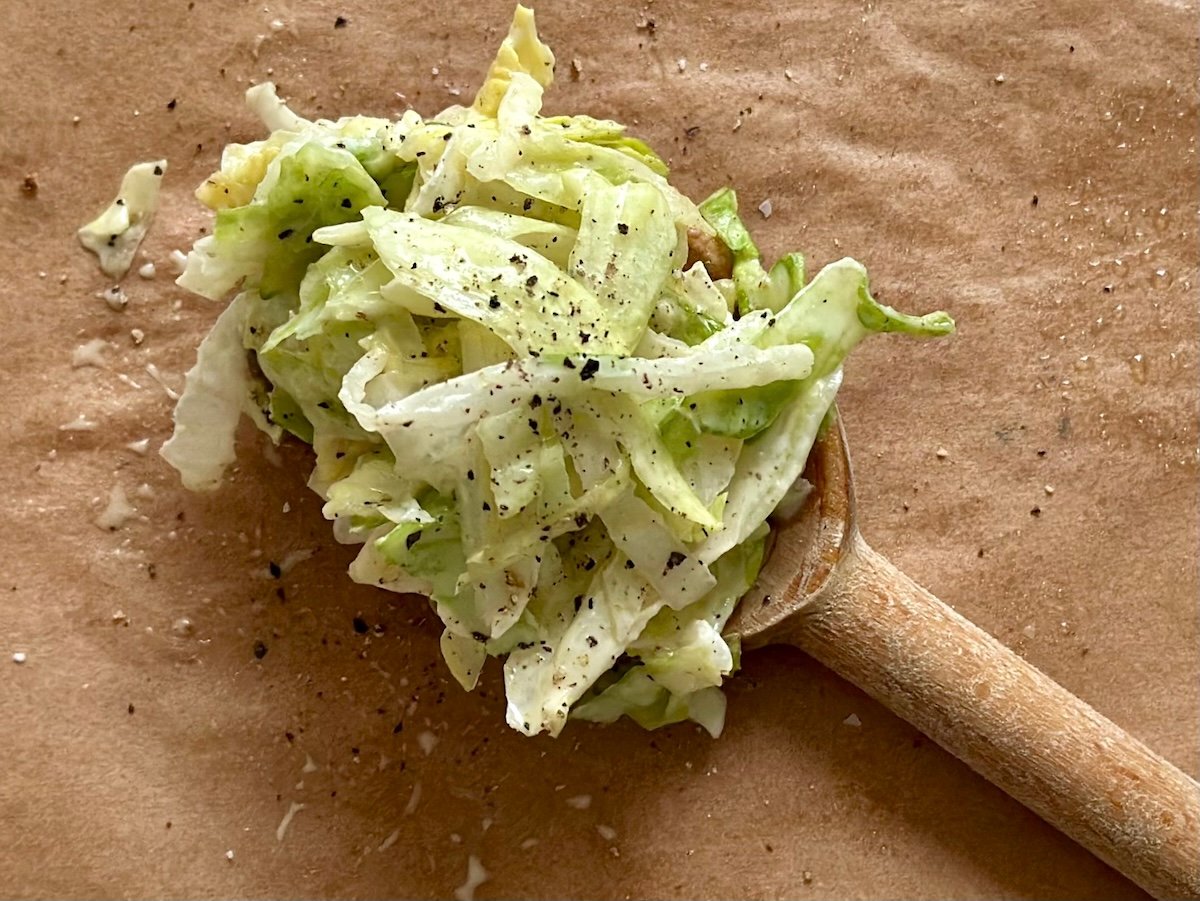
{"x": 826, "y": 592}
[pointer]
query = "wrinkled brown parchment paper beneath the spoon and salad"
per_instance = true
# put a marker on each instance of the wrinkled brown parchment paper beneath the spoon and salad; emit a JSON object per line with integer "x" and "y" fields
{"x": 1029, "y": 167}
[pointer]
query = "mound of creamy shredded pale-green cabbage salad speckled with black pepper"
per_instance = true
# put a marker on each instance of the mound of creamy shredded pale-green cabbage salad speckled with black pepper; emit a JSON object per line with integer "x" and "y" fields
{"x": 525, "y": 404}
